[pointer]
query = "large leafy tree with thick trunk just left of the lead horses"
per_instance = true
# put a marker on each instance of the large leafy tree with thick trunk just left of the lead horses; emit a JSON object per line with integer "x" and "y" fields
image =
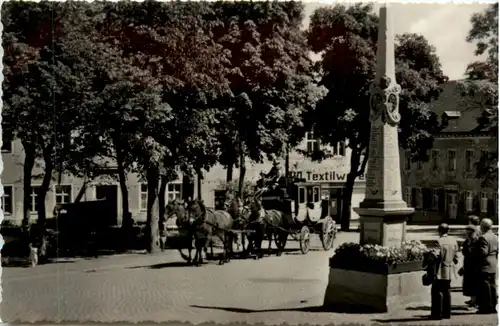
{"x": 172, "y": 44}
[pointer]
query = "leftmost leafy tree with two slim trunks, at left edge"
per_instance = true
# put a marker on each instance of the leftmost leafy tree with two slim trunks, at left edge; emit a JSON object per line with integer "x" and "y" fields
{"x": 42, "y": 90}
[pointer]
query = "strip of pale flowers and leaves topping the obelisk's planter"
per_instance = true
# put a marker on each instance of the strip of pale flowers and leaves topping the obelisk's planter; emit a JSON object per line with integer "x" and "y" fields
{"x": 353, "y": 253}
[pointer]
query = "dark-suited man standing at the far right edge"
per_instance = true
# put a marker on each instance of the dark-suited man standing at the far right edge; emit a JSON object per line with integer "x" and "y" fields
{"x": 487, "y": 260}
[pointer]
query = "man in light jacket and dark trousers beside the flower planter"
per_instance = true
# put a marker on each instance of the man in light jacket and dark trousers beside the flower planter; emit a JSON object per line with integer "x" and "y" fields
{"x": 440, "y": 290}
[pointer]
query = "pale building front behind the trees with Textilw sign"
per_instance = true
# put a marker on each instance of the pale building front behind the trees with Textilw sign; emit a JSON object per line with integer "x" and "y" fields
{"x": 325, "y": 179}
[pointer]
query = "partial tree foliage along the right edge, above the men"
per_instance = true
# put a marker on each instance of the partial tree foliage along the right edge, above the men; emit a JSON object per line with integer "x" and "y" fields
{"x": 481, "y": 85}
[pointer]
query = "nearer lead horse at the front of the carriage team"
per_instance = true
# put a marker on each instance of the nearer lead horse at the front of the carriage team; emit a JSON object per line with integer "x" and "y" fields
{"x": 206, "y": 224}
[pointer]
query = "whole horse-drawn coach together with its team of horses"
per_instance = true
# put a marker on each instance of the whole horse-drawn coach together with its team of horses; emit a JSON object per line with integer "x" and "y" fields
{"x": 292, "y": 209}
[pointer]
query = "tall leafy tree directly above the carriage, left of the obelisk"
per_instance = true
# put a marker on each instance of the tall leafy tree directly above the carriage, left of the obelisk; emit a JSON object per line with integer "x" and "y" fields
{"x": 271, "y": 79}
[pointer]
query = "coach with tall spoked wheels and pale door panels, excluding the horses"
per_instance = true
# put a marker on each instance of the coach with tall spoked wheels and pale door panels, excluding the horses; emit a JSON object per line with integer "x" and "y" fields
{"x": 304, "y": 211}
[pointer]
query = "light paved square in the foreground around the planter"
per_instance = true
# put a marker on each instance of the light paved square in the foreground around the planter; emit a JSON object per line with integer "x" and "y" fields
{"x": 137, "y": 287}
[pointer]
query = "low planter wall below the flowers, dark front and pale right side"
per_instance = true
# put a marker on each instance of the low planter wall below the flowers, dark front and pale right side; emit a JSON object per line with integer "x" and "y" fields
{"x": 375, "y": 292}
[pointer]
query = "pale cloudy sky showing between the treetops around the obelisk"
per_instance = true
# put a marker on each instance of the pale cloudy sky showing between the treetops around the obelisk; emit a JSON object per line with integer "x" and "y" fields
{"x": 445, "y": 26}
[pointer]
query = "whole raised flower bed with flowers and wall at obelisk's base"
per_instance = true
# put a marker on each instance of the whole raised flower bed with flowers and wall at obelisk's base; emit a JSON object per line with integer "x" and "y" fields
{"x": 376, "y": 278}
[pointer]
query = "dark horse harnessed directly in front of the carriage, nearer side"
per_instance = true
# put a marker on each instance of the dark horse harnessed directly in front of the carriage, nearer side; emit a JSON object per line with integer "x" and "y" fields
{"x": 273, "y": 224}
